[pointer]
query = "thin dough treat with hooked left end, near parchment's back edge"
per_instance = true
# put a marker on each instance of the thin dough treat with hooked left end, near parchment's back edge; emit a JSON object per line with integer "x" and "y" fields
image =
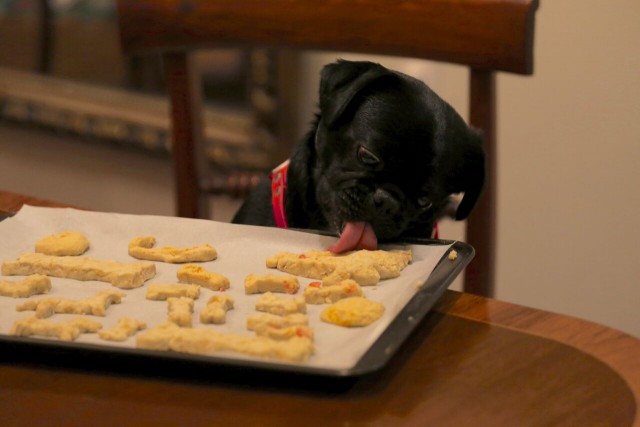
{"x": 143, "y": 248}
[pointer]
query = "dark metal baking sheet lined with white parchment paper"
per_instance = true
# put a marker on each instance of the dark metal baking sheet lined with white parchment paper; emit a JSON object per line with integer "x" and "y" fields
{"x": 241, "y": 250}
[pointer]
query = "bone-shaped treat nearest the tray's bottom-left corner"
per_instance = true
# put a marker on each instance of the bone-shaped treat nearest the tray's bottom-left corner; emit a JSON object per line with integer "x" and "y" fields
{"x": 68, "y": 330}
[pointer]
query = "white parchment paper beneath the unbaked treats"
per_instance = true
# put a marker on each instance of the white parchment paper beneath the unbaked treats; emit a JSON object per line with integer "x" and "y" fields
{"x": 241, "y": 250}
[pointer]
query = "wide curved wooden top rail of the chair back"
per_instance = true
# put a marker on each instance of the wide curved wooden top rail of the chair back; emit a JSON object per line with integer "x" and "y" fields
{"x": 484, "y": 34}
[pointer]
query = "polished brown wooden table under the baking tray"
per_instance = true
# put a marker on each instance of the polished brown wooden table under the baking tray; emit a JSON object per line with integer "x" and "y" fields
{"x": 474, "y": 361}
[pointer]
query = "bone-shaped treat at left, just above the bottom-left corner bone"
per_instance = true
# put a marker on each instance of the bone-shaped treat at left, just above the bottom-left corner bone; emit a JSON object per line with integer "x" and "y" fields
{"x": 96, "y": 305}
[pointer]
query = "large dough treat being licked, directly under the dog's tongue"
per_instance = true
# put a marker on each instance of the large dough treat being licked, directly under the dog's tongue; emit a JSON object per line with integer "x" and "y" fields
{"x": 365, "y": 267}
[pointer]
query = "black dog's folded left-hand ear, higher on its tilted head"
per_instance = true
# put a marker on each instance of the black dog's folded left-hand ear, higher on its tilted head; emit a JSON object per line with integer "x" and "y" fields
{"x": 341, "y": 81}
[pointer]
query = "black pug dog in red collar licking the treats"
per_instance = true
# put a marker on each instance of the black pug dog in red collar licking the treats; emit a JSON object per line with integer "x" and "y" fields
{"x": 381, "y": 162}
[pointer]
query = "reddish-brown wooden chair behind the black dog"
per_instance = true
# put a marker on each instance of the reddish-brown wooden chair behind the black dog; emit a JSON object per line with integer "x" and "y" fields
{"x": 486, "y": 35}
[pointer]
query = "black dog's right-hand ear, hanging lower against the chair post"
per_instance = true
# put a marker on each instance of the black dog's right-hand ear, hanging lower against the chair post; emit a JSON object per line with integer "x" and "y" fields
{"x": 465, "y": 167}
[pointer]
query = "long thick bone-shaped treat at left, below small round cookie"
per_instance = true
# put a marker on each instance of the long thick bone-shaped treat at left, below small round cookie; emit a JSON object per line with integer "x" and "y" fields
{"x": 119, "y": 274}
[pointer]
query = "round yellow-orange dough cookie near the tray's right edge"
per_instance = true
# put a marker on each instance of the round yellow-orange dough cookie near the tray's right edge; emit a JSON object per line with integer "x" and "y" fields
{"x": 354, "y": 311}
